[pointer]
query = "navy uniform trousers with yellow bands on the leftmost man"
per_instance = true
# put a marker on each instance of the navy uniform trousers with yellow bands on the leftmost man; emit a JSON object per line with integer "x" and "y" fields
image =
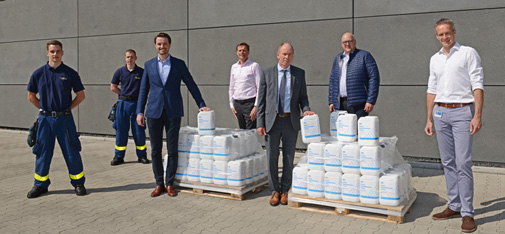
{"x": 63, "y": 129}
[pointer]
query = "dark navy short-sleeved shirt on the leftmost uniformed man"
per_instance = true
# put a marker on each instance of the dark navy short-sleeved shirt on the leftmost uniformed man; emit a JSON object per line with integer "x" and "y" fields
{"x": 55, "y": 86}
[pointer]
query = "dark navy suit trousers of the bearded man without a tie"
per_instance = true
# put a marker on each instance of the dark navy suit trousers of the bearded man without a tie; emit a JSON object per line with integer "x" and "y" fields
{"x": 172, "y": 127}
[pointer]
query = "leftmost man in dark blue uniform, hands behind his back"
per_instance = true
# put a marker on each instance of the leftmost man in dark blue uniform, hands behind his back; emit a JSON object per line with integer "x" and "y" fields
{"x": 54, "y": 83}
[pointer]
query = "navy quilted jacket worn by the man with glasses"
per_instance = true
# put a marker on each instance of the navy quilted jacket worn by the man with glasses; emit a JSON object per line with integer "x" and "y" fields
{"x": 362, "y": 79}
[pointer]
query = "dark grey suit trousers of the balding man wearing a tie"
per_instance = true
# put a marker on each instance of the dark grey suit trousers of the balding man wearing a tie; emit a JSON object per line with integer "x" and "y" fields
{"x": 282, "y": 129}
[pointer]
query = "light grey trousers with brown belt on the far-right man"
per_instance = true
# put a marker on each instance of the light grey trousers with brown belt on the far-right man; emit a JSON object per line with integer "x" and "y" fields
{"x": 455, "y": 145}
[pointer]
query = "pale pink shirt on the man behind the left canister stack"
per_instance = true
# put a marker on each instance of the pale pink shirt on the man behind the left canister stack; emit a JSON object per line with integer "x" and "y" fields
{"x": 244, "y": 81}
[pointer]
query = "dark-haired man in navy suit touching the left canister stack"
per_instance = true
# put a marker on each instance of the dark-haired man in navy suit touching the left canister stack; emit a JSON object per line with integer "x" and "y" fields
{"x": 162, "y": 81}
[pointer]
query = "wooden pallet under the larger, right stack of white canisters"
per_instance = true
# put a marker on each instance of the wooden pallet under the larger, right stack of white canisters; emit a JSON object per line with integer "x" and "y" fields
{"x": 392, "y": 214}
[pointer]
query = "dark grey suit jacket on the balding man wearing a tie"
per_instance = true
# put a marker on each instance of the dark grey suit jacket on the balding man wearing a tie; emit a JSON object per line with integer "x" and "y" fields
{"x": 268, "y": 97}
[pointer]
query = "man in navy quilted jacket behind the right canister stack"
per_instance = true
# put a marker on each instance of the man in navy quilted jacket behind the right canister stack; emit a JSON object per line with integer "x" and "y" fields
{"x": 354, "y": 79}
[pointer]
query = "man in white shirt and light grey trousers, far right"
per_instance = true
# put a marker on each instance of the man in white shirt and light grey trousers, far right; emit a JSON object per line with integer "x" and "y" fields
{"x": 454, "y": 104}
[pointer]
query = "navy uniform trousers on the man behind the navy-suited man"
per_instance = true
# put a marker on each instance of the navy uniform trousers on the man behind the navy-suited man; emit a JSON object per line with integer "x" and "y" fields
{"x": 126, "y": 117}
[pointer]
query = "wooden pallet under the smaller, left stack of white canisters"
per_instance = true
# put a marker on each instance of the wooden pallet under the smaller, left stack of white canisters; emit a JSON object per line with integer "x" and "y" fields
{"x": 221, "y": 191}
